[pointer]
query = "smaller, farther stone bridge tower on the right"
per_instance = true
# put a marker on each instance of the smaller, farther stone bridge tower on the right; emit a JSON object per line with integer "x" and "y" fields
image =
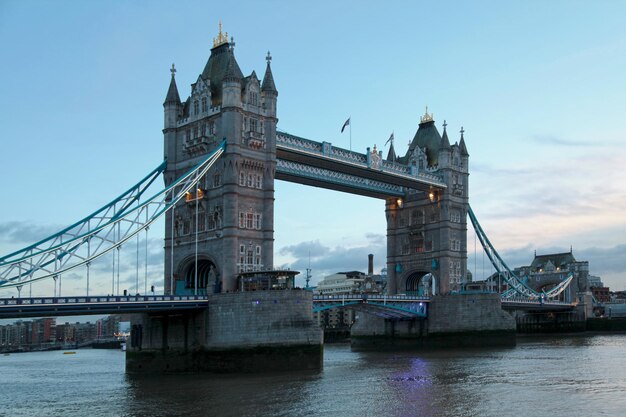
{"x": 427, "y": 231}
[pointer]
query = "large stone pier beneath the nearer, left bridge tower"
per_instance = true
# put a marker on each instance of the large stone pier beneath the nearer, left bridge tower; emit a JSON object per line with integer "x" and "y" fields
{"x": 253, "y": 331}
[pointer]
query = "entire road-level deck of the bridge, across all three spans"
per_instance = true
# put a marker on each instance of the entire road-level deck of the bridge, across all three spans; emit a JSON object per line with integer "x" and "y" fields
{"x": 388, "y": 306}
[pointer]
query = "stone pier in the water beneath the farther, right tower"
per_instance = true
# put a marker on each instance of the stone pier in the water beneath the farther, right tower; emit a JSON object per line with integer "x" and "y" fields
{"x": 457, "y": 320}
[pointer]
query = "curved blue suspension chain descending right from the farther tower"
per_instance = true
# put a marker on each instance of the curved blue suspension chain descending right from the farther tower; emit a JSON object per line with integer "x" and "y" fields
{"x": 517, "y": 286}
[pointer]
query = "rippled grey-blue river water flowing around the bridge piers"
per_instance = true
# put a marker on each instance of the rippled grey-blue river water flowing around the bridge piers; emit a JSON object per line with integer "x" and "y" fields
{"x": 556, "y": 376}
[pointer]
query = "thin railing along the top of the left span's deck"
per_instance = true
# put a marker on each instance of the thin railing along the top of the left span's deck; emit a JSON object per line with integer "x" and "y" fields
{"x": 99, "y": 299}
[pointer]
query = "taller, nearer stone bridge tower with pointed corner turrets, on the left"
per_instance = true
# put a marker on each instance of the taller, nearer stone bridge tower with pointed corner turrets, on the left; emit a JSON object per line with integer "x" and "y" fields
{"x": 226, "y": 226}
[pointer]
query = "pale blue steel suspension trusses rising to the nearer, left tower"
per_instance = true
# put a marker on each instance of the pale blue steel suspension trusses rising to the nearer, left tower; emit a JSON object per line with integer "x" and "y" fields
{"x": 103, "y": 231}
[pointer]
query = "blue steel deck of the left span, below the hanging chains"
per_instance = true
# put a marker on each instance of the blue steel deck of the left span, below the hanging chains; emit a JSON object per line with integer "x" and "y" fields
{"x": 65, "y": 306}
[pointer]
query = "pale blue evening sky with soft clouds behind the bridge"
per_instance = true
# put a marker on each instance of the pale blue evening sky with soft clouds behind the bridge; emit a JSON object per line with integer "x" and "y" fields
{"x": 539, "y": 88}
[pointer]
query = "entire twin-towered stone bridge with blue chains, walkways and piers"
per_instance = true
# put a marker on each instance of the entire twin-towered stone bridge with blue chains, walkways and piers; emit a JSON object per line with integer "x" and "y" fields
{"x": 222, "y": 154}
